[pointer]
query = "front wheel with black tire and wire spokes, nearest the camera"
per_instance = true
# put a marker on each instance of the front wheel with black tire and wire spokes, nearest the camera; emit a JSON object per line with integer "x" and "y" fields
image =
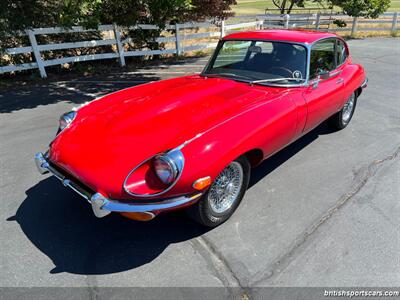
{"x": 224, "y": 194}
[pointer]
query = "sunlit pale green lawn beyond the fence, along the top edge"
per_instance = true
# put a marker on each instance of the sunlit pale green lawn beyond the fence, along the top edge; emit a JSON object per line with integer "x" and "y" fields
{"x": 250, "y": 7}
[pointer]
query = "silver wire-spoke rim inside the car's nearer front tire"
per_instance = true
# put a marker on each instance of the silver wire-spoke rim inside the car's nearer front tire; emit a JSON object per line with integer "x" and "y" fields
{"x": 226, "y": 188}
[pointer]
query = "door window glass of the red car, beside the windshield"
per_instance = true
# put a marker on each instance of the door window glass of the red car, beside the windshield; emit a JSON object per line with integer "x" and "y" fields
{"x": 322, "y": 57}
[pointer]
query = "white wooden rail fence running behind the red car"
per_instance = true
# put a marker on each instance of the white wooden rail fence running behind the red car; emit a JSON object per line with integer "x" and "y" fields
{"x": 179, "y": 38}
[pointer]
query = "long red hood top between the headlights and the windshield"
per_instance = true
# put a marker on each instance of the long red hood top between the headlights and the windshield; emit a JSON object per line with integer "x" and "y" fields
{"x": 112, "y": 135}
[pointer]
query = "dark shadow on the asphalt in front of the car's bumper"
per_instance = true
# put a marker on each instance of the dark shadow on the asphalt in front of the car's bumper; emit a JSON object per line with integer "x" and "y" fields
{"x": 62, "y": 225}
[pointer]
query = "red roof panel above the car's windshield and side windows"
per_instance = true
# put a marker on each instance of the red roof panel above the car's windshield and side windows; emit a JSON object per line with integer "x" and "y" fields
{"x": 286, "y": 35}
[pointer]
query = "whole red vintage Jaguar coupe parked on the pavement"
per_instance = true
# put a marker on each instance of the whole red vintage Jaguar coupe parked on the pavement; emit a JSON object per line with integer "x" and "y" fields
{"x": 190, "y": 142}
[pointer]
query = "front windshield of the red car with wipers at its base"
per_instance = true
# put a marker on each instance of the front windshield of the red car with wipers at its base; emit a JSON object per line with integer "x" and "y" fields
{"x": 262, "y": 62}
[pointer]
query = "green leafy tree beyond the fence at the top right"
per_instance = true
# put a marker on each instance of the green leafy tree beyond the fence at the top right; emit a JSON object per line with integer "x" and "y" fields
{"x": 362, "y": 8}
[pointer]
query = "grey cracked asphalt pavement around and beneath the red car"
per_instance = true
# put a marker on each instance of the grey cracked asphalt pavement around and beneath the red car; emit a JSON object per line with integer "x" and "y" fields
{"x": 323, "y": 212}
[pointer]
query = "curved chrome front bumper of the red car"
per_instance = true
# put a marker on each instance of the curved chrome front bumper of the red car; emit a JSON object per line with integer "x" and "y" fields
{"x": 102, "y": 205}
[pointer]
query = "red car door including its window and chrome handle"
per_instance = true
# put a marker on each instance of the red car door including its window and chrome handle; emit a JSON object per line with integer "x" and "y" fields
{"x": 324, "y": 96}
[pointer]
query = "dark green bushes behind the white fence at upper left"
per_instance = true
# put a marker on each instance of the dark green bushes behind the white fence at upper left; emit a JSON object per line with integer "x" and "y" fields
{"x": 18, "y": 15}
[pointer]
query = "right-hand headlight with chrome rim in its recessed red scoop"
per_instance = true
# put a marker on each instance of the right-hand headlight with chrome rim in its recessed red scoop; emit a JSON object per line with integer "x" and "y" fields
{"x": 156, "y": 175}
